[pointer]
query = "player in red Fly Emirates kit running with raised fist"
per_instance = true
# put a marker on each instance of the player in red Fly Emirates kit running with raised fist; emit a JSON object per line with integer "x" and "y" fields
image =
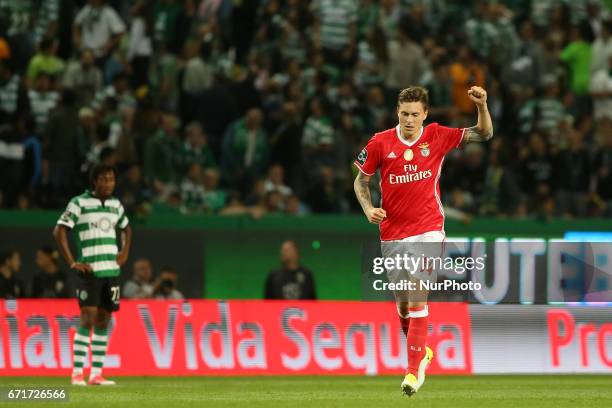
{"x": 411, "y": 217}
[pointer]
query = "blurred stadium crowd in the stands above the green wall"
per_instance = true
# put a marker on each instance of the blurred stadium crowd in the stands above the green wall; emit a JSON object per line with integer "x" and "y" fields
{"x": 260, "y": 106}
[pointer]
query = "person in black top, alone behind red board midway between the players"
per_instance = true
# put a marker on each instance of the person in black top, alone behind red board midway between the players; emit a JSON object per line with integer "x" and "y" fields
{"x": 291, "y": 281}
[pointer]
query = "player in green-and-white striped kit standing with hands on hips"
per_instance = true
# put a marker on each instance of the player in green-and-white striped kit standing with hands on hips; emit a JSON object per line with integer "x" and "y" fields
{"x": 93, "y": 218}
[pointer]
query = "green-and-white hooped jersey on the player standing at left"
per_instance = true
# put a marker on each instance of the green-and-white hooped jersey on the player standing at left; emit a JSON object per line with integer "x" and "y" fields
{"x": 94, "y": 224}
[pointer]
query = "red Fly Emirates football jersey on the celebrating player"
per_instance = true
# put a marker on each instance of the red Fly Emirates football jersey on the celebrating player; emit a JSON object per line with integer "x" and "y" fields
{"x": 410, "y": 178}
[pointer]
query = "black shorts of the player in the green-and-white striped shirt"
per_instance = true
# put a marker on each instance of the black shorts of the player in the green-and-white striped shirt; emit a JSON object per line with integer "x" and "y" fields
{"x": 98, "y": 292}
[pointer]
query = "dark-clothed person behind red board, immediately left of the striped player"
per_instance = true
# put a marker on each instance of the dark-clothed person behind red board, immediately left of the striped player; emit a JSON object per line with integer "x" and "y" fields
{"x": 50, "y": 281}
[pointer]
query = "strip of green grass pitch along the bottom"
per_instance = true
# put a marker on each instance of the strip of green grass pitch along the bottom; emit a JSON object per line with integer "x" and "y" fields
{"x": 541, "y": 391}
